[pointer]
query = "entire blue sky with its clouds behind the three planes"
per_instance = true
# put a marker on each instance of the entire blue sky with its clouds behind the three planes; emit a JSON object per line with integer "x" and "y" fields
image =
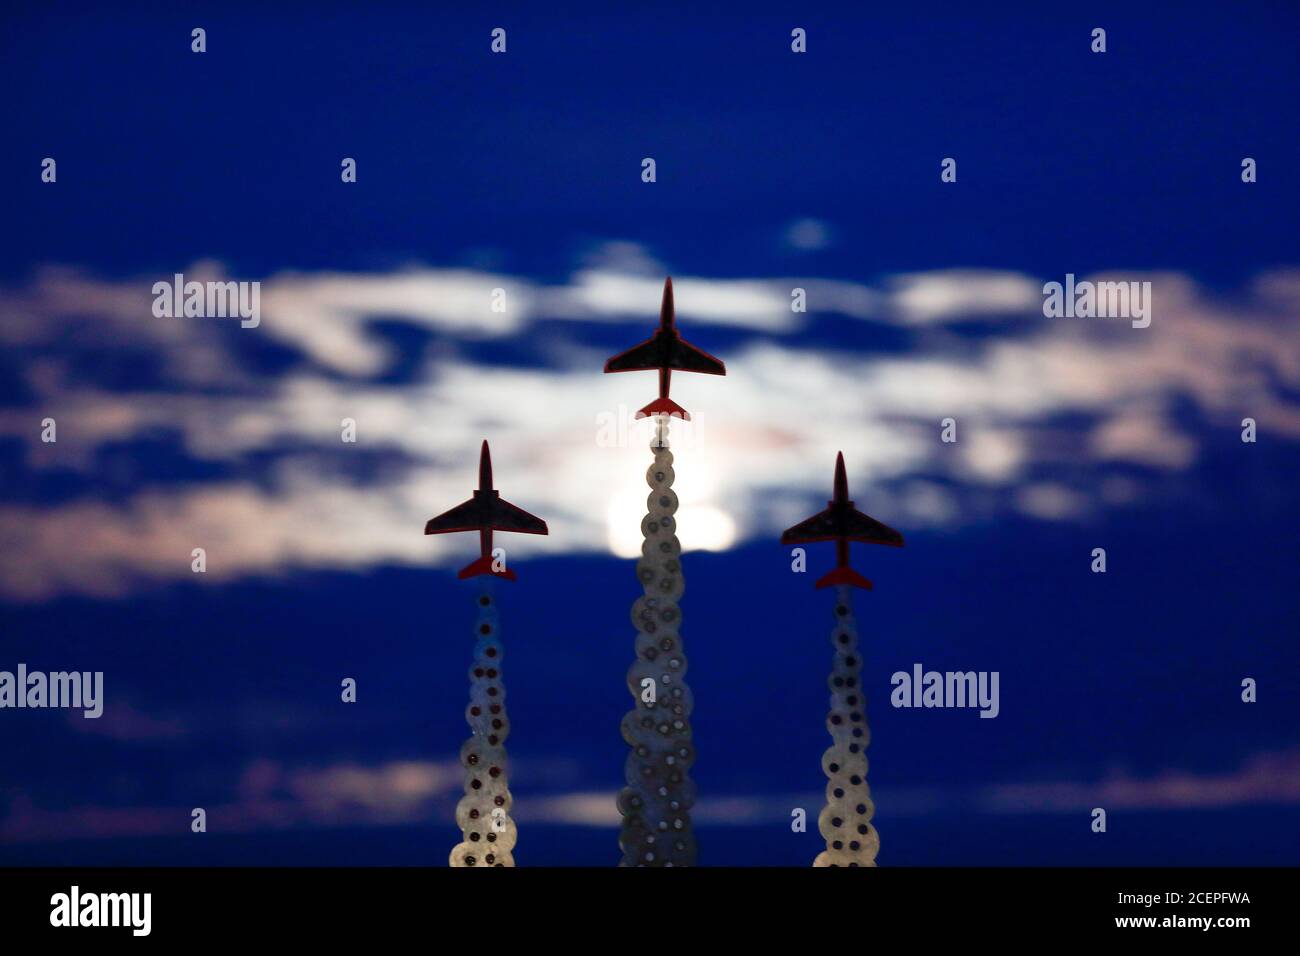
{"x": 774, "y": 171}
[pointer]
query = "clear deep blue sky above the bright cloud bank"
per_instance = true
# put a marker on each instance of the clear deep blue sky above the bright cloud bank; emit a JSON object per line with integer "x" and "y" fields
{"x": 1093, "y": 161}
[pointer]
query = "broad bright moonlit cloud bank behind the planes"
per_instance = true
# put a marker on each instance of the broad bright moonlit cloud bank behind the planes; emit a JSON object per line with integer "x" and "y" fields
{"x": 565, "y": 443}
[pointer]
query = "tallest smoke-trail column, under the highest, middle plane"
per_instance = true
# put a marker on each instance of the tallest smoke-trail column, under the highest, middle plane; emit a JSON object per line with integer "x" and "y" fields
{"x": 656, "y": 803}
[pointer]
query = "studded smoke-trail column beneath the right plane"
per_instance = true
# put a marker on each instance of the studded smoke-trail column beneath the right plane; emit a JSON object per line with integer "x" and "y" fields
{"x": 846, "y": 821}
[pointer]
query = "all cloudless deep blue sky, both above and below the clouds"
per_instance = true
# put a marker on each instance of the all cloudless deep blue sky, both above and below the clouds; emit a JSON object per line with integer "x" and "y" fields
{"x": 1069, "y": 162}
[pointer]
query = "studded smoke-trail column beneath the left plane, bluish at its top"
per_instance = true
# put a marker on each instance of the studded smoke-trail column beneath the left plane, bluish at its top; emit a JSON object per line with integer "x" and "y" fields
{"x": 488, "y": 832}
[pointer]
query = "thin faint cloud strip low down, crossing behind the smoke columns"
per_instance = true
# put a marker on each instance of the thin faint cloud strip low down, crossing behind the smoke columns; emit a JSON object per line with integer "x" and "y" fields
{"x": 274, "y": 797}
